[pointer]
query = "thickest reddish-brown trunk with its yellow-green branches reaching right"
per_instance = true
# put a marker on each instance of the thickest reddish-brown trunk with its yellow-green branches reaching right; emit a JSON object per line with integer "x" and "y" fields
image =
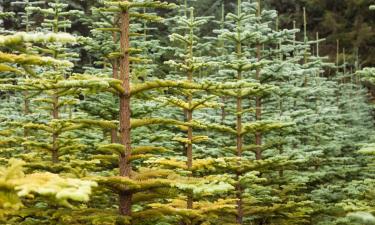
{"x": 125, "y": 162}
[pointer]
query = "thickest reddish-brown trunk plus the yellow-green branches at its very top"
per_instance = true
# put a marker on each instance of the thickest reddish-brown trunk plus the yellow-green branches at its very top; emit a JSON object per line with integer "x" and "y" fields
{"x": 125, "y": 167}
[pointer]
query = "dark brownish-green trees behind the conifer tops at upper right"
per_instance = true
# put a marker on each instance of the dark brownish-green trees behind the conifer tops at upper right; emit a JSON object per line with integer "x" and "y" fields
{"x": 349, "y": 21}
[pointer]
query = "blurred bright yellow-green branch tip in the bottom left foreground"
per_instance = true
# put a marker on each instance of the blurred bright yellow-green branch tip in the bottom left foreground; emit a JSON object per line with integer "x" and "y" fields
{"x": 14, "y": 185}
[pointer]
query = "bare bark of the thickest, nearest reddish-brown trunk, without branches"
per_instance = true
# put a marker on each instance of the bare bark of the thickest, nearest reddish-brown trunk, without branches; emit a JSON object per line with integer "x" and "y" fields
{"x": 125, "y": 198}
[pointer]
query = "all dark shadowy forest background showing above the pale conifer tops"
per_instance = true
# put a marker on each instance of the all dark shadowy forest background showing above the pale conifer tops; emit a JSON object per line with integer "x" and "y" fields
{"x": 349, "y": 21}
